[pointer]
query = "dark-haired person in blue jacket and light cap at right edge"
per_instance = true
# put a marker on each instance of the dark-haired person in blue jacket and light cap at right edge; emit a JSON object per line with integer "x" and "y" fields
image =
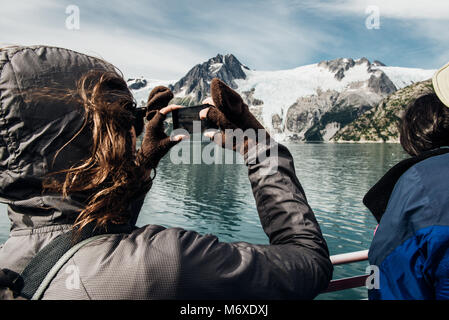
{"x": 411, "y": 203}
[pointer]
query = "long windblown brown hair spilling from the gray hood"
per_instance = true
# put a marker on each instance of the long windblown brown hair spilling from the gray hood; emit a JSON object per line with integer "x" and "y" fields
{"x": 110, "y": 175}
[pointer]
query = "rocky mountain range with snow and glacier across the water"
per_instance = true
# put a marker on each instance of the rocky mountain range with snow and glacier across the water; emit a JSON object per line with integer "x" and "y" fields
{"x": 311, "y": 102}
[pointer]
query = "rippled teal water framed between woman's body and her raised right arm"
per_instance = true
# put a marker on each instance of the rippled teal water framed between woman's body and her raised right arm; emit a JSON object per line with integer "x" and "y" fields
{"x": 213, "y": 199}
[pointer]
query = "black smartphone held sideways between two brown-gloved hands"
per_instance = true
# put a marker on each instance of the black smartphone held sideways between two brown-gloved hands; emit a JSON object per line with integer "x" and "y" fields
{"x": 184, "y": 118}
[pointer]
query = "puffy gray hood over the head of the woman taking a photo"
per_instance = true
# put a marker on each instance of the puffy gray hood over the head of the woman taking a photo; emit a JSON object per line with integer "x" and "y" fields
{"x": 31, "y": 133}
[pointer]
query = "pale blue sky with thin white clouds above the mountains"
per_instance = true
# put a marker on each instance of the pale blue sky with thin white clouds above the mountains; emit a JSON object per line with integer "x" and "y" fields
{"x": 165, "y": 39}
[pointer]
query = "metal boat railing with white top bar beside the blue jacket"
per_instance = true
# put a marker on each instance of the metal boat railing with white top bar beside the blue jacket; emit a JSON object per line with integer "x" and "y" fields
{"x": 351, "y": 282}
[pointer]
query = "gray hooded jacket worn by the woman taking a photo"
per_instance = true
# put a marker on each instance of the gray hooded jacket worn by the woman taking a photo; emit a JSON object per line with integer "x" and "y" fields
{"x": 151, "y": 262}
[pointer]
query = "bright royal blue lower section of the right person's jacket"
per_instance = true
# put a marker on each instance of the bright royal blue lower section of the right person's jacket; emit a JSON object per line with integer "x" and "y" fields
{"x": 418, "y": 269}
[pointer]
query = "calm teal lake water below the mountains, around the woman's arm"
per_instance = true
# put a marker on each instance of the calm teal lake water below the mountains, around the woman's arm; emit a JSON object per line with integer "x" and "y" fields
{"x": 217, "y": 199}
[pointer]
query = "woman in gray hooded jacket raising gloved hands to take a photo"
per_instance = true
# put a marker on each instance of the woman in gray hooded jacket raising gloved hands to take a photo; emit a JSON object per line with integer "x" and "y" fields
{"x": 70, "y": 171}
